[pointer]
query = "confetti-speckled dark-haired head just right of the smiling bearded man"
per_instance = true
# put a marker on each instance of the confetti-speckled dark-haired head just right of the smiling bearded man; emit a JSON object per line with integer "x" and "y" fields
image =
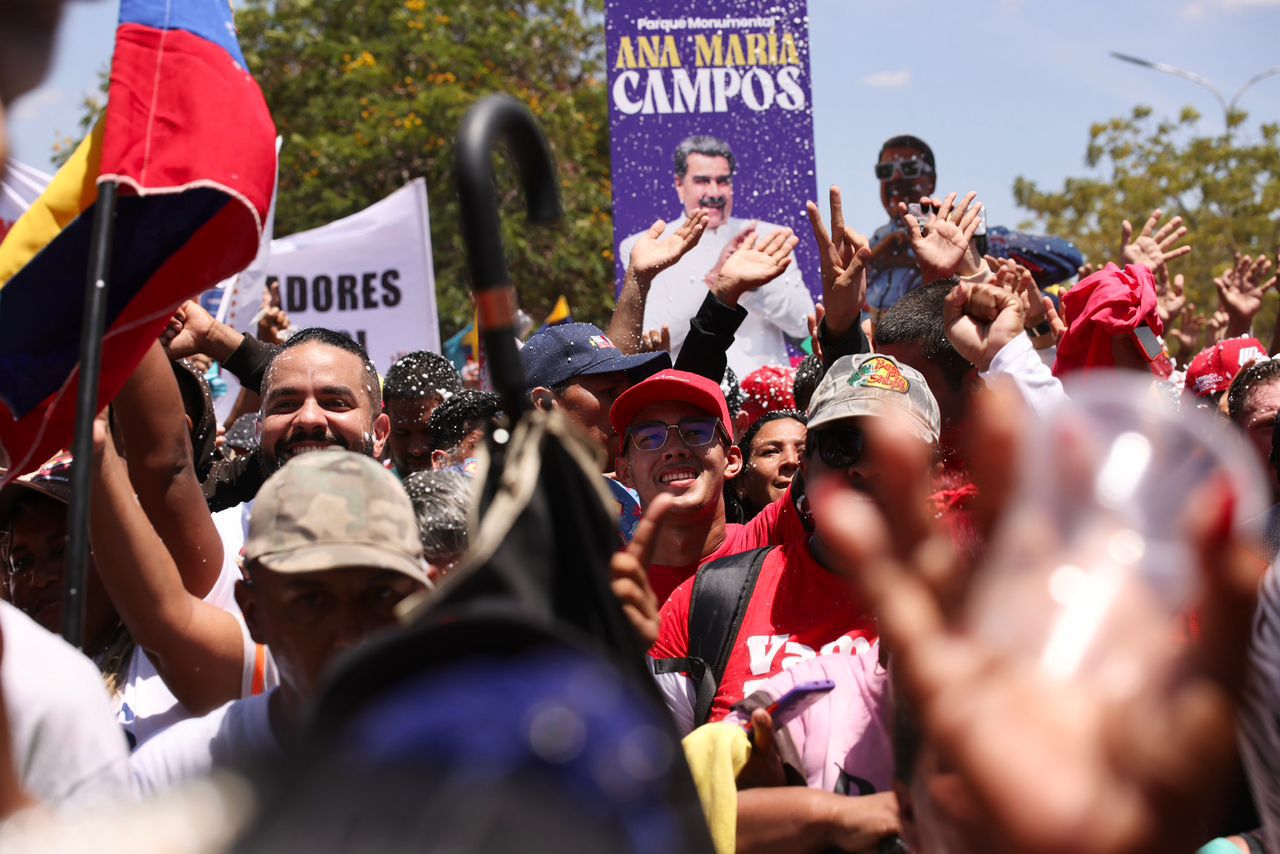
{"x": 417, "y": 383}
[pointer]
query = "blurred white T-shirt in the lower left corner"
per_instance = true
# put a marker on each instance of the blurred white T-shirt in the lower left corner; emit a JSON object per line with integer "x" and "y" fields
{"x": 66, "y": 743}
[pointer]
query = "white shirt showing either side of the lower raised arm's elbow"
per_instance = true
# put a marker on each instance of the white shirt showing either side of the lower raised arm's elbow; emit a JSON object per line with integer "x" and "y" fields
{"x": 147, "y": 706}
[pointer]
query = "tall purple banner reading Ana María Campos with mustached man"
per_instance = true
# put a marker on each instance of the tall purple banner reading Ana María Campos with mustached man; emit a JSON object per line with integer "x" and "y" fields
{"x": 714, "y": 109}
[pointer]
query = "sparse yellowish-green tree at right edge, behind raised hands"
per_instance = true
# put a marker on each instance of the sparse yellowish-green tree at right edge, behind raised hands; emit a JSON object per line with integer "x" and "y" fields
{"x": 1227, "y": 190}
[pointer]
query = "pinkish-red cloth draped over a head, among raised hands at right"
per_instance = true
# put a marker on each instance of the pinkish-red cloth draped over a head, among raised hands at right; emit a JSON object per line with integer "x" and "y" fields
{"x": 1108, "y": 305}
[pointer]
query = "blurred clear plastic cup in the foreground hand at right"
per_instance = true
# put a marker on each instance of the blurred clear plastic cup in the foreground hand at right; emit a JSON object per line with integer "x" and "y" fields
{"x": 1092, "y": 568}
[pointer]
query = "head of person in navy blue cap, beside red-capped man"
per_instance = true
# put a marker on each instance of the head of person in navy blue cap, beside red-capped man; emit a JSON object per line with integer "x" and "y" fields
{"x": 575, "y": 368}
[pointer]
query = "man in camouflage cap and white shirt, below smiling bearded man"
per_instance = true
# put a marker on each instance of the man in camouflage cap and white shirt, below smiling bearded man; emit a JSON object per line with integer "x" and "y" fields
{"x": 332, "y": 550}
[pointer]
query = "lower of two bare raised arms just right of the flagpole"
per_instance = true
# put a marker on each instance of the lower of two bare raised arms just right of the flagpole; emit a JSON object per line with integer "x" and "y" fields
{"x": 198, "y": 649}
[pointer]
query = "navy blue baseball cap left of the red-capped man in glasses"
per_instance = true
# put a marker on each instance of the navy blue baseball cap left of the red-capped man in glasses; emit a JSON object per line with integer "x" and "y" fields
{"x": 556, "y": 355}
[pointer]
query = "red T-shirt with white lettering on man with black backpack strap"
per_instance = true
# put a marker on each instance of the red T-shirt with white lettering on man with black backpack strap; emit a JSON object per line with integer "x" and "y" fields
{"x": 799, "y": 610}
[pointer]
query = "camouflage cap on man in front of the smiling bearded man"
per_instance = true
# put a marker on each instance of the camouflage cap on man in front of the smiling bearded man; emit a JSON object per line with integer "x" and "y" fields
{"x": 332, "y": 510}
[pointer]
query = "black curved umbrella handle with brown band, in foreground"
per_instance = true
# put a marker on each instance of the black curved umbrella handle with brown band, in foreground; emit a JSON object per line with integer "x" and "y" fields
{"x": 493, "y": 120}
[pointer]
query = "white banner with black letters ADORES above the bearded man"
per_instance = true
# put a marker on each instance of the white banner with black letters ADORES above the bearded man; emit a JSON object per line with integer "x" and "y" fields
{"x": 369, "y": 276}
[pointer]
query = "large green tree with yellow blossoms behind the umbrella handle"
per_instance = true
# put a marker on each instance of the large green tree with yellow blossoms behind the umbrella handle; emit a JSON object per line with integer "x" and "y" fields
{"x": 371, "y": 95}
